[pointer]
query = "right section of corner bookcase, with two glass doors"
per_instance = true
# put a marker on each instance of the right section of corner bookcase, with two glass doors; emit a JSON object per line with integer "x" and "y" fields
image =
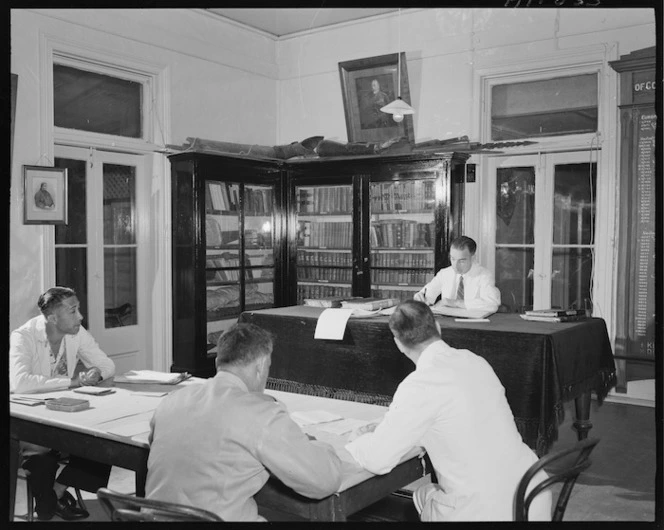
{"x": 372, "y": 226}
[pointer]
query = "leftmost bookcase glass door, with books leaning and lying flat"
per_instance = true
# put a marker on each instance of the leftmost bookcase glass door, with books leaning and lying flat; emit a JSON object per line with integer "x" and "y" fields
{"x": 239, "y": 246}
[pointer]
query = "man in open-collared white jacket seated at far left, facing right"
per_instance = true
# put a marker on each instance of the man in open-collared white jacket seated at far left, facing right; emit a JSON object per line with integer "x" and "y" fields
{"x": 43, "y": 355}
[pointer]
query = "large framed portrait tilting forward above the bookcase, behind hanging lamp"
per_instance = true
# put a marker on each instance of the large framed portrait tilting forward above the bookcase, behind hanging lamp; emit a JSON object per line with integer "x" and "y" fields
{"x": 364, "y": 123}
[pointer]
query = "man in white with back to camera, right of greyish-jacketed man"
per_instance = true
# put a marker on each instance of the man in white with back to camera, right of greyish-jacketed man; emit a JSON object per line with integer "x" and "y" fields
{"x": 454, "y": 406}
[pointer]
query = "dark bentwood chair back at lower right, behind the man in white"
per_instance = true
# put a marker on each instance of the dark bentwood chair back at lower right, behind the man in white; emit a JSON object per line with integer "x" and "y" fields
{"x": 567, "y": 474}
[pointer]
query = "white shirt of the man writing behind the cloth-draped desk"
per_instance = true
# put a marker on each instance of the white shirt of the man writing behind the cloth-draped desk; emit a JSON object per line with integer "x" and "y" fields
{"x": 480, "y": 291}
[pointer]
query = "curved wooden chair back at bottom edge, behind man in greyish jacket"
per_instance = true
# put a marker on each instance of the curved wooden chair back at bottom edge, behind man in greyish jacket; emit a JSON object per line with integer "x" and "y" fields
{"x": 127, "y": 508}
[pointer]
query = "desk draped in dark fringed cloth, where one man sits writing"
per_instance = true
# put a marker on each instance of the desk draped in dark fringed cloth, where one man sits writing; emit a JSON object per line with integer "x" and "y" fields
{"x": 541, "y": 365}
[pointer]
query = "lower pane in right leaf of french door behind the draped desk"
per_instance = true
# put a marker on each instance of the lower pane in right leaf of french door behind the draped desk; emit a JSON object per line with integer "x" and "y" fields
{"x": 571, "y": 275}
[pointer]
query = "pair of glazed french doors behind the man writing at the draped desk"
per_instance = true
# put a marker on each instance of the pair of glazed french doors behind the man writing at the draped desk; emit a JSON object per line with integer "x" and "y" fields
{"x": 540, "y": 225}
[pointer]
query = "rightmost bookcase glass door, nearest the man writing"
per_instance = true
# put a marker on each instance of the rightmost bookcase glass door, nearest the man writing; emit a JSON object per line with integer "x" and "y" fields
{"x": 402, "y": 235}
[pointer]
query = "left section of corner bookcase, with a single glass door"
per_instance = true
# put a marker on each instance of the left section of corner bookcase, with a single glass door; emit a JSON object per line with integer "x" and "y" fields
{"x": 227, "y": 249}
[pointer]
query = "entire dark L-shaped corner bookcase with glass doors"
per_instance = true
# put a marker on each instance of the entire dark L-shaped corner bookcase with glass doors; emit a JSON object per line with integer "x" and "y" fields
{"x": 250, "y": 234}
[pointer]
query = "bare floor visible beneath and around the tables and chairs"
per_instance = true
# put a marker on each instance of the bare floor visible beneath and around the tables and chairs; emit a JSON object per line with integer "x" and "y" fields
{"x": 619, "y": 486}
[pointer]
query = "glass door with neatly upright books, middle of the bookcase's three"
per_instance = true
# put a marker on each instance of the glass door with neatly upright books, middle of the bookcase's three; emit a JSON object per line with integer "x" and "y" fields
{"x": 324, "y": 241}
